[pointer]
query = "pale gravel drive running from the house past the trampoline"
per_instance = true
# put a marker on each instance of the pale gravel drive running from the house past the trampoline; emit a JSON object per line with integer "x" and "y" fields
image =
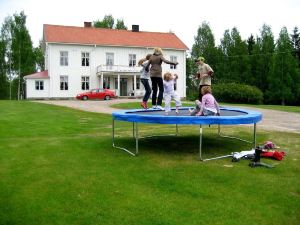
{"x": 272, "y": 120}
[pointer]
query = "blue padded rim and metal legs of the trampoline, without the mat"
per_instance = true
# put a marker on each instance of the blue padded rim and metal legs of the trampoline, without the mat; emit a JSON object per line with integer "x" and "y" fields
{"x": 135, "y": 131}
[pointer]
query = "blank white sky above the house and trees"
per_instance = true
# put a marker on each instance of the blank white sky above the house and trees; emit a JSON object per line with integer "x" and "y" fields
{"x": 181, "y": 17}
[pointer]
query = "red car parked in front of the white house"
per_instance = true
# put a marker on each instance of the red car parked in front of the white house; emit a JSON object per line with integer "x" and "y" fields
{"x": 105, "y": 94}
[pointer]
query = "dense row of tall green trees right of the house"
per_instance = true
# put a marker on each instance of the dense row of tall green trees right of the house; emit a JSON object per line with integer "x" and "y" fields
{"x": 272, "y": 66}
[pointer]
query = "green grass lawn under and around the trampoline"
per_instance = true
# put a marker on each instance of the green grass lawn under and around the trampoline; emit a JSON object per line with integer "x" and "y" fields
{"x": 58, "y": 166}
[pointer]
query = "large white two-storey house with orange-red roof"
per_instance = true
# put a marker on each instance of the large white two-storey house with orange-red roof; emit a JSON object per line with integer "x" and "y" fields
{"x": 78, "y": 59}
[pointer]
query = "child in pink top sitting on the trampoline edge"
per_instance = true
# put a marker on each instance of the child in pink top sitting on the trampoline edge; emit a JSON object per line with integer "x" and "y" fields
{"x": 208, "y": 105}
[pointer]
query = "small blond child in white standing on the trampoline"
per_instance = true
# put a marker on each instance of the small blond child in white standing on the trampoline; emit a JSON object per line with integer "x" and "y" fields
{"x": 170, "y": 93}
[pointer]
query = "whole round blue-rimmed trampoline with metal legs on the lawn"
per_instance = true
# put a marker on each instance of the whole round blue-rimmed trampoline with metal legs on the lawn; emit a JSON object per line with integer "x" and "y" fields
{"x": 228, "y": 116}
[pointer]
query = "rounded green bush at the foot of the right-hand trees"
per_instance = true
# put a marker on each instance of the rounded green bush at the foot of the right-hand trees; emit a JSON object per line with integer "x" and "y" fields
{"x": 237, "y": 93}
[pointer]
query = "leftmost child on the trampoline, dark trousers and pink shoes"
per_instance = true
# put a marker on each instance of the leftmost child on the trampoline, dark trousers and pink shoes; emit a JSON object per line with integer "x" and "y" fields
{"x": 145, "y": 77}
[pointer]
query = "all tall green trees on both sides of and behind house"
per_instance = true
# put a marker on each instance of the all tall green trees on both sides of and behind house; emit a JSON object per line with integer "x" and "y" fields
{"x": 272, "y": 66}
